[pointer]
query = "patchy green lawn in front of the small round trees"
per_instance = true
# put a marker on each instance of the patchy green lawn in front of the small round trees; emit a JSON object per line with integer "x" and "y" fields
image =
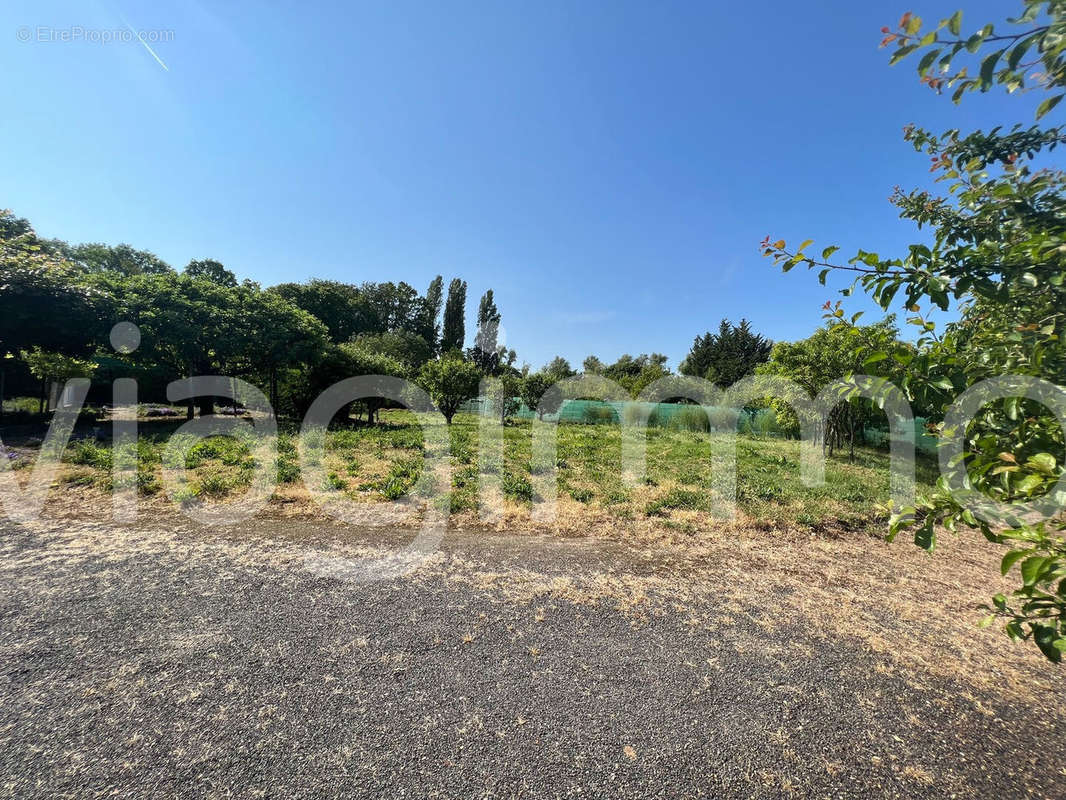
{"x": 384, "y": 462}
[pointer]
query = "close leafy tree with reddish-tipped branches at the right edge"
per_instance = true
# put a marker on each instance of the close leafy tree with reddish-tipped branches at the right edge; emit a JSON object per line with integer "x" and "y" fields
{"x": 998, "y": 251}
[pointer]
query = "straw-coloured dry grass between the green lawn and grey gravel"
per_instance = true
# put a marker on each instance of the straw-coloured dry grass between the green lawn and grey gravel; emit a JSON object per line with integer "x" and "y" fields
{"x": 915, "y": 613}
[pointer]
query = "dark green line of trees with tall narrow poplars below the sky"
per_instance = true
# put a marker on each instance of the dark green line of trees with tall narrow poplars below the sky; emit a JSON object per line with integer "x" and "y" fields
{"x": 60, "y": 302}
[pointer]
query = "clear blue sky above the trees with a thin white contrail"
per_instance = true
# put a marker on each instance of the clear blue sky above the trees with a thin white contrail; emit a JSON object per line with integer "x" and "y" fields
{"x": 607, "y": 168}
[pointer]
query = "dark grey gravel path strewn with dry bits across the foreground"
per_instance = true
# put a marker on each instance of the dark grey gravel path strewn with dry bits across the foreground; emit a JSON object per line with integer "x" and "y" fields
{"x": 171, "y": 662}
